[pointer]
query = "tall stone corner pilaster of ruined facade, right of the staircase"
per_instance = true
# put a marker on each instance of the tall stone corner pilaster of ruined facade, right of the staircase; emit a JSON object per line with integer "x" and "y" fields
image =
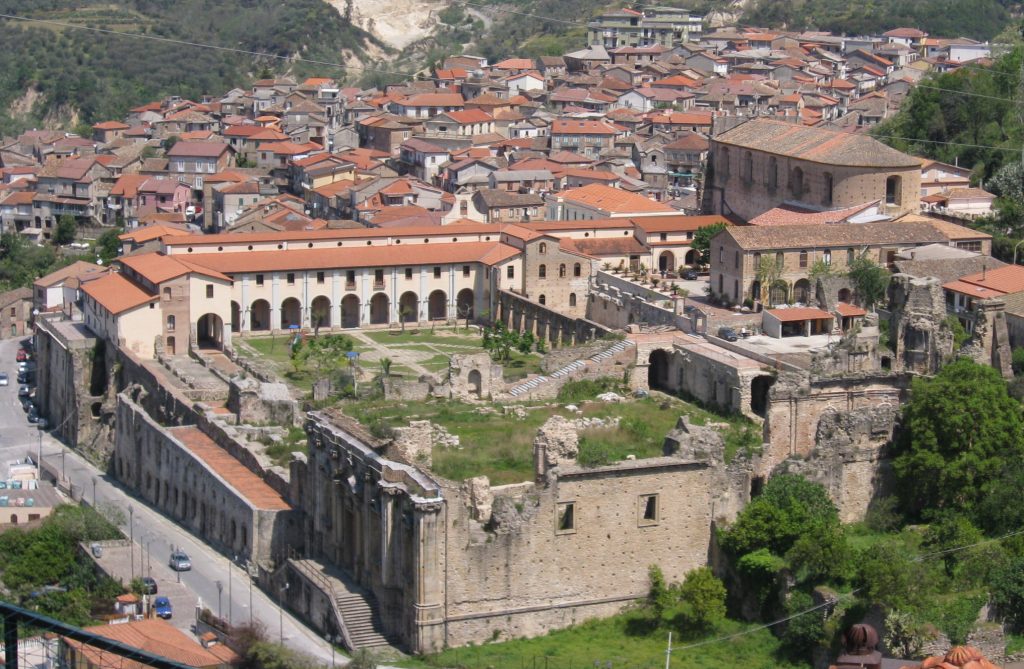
{"x": 429, "y": 636}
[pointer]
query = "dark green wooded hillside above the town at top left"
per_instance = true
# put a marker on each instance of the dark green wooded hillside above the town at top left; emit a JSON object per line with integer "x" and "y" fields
{"x": 101, "y": 76}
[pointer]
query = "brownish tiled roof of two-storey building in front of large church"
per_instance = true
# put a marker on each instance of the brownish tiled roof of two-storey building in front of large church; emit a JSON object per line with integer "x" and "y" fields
{"x": 794, "y": 237}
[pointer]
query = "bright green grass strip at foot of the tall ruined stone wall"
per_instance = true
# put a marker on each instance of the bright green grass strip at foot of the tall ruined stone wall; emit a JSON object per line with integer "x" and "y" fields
{"x": 620, "y": 643}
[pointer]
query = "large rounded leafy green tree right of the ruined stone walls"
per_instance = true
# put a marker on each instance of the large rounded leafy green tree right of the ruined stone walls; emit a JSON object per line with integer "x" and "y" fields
{"x": 961, "y": 432}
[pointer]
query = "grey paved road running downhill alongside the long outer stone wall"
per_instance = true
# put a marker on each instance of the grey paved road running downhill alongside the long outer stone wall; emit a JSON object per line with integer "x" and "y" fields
{"x": 152, "y": 530}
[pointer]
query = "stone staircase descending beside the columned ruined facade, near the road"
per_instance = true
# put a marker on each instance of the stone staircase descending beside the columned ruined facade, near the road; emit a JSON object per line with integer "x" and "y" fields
{"x": 355, "y": 609}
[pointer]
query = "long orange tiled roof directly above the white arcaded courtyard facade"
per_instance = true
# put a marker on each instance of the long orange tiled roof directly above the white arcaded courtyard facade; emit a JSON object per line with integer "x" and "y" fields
{"x": 358, "y": 257}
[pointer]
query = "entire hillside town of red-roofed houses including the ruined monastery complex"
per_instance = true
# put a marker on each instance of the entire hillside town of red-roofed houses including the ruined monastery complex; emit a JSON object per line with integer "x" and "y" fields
{"x": 459, "y": 358}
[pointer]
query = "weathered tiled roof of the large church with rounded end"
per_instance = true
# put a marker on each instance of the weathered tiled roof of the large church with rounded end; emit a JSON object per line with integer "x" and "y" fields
{"x": 816, "y": 145}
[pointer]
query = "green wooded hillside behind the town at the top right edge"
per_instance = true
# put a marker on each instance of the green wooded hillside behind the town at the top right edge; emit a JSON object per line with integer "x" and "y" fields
{"x": 977, "y": 19}
